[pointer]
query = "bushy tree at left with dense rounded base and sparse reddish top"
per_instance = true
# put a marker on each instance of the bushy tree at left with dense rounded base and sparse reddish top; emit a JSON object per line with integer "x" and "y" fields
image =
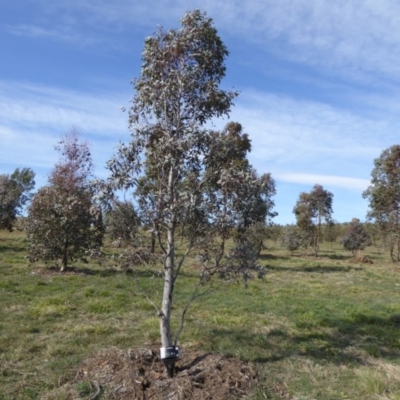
{"x": 64, "y": 224}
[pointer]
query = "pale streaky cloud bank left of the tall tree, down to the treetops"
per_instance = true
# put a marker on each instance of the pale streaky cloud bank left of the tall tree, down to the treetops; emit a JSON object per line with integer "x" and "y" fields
{"x": 34, "y": 117}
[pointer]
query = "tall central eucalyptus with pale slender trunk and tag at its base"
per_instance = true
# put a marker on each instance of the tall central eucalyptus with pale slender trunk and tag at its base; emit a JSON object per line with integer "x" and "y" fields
{"x": 166, "y": 163}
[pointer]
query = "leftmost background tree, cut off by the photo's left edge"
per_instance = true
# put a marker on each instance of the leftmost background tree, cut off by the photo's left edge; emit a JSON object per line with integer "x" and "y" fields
{"x": 15, "y": 193}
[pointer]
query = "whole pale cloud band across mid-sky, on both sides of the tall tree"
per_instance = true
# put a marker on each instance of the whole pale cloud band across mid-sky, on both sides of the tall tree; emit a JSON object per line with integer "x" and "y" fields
{"x": 288, "y": 136}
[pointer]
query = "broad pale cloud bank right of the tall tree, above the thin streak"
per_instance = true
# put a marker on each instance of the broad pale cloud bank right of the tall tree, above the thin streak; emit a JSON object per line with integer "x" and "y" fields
{"x": 292, "y": 134}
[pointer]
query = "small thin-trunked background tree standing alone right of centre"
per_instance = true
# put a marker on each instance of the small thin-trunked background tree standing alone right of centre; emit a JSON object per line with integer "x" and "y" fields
{"x": 310, "y": 210}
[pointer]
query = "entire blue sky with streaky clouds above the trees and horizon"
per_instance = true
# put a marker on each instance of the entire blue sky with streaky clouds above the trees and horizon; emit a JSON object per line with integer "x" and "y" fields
{"x": 319, "y": 84}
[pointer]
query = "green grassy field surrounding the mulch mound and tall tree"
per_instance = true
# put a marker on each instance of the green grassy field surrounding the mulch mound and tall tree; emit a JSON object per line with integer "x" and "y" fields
{"x": 325, "y": 328}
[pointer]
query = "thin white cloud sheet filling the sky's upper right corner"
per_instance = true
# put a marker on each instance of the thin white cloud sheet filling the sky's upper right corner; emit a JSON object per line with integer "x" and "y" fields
{"x": 346, "y": 35}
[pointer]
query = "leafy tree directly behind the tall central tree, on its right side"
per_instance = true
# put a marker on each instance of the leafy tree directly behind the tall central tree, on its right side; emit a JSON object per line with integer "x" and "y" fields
{"x": 240, "y": 205}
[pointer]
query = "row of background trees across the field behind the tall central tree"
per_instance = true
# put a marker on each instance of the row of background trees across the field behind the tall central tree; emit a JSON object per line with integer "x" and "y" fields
{"x": 70, "y": 182}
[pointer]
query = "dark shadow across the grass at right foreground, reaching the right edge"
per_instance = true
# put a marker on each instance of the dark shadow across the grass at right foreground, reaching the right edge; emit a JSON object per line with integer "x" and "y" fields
{"x": 351, "y": 341}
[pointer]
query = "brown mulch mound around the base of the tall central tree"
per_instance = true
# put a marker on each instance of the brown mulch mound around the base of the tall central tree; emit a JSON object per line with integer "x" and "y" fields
{"x": 139, "y": 374}
